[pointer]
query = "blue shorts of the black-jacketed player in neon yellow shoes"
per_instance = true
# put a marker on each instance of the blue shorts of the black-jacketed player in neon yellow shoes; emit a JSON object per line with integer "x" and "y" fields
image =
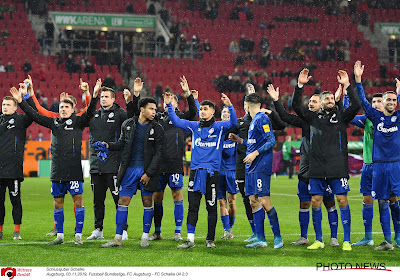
{"x": 337, "y": 186}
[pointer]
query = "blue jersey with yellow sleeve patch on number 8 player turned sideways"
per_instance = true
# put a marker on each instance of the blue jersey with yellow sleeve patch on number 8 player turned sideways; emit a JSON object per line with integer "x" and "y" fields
{"x": 260, "y": 134}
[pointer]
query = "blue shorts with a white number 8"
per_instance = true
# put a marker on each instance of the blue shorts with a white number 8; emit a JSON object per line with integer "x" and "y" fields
{"x": 257, "y": 183}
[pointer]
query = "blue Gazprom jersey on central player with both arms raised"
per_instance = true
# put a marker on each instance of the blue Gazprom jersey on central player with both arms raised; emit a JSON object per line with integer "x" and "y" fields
{"x": 207, "y": 142}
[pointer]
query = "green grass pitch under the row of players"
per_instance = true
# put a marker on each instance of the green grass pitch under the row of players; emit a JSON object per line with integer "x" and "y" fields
{"x": 38, "y": 220}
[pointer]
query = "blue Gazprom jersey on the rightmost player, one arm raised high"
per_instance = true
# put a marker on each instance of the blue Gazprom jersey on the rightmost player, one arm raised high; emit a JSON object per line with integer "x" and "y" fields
{"x": 386, "y": 145}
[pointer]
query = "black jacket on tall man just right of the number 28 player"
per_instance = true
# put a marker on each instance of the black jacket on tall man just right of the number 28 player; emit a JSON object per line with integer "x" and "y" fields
{"x": 105, "y": 125}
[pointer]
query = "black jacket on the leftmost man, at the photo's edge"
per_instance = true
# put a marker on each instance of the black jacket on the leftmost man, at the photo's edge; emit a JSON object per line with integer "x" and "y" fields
{"x": 12, "y": 142}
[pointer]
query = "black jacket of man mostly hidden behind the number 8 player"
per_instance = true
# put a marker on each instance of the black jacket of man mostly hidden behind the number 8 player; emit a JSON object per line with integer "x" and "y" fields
{"x": 242, "y": 130}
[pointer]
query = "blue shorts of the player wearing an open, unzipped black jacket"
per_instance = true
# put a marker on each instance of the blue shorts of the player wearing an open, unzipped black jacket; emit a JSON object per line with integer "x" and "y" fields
{"x": 131, "y": 183}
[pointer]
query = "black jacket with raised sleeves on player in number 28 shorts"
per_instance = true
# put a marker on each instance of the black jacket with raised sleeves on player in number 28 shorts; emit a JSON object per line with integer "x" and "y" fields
{"x": 66, "y": 142}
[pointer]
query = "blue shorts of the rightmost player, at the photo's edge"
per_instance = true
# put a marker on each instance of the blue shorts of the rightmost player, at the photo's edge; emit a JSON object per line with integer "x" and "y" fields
{"x": 386, "y": 180}
